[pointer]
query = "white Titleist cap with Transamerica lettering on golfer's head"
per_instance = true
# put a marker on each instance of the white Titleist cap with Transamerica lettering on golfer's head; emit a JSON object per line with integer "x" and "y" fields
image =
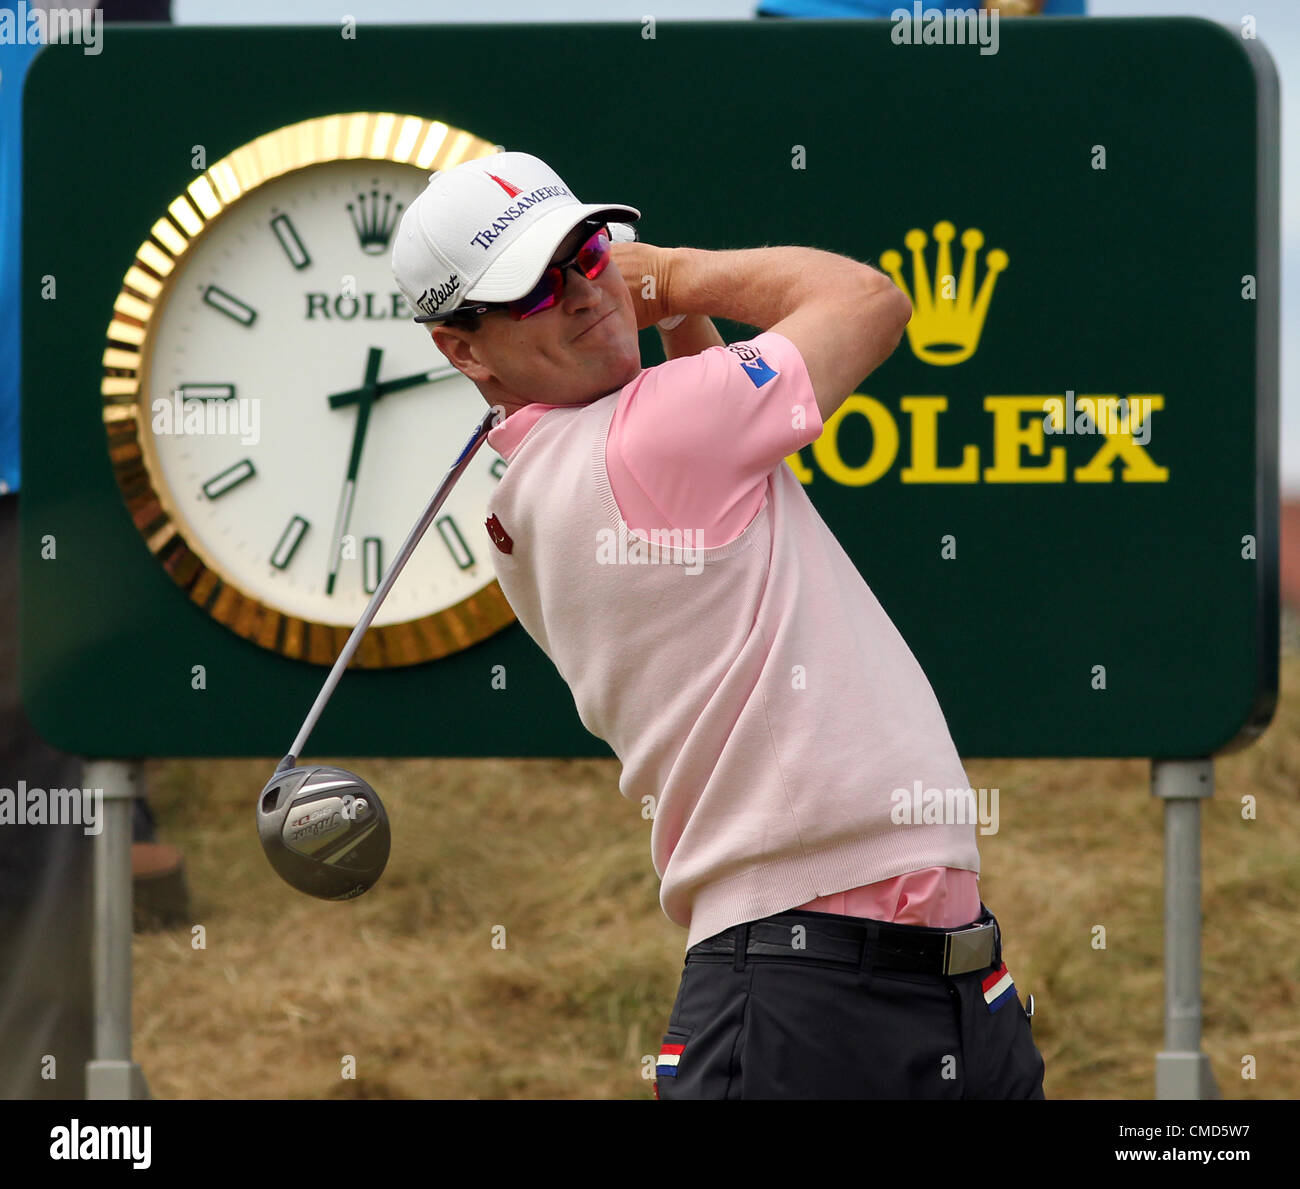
{"x": 486, "y": 231}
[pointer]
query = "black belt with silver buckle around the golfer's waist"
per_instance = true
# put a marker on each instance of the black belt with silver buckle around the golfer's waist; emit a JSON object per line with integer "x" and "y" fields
{"x": 857, "y": 941}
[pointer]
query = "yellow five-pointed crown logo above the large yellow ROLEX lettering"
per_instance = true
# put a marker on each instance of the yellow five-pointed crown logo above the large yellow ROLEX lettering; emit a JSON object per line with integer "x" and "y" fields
{"x": 946, "y": 329}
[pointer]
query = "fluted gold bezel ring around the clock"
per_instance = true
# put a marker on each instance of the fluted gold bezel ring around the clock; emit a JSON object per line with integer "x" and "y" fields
{"x": 427, "y": 145}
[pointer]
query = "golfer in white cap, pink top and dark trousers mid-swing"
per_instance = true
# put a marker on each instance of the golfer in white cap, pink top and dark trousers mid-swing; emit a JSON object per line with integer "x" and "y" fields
{"x": 653, "y": 543}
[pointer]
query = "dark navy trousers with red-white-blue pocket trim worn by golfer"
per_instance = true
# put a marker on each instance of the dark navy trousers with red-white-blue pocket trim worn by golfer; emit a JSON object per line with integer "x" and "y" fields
{"x": 795, "y": 1027}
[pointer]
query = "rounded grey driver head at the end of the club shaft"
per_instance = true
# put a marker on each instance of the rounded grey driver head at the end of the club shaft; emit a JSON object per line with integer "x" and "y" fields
{"x": 326, "y": 831}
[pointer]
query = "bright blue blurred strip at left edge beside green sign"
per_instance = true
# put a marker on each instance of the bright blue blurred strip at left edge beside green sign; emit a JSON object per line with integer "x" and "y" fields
{"x": 14, "y": 70}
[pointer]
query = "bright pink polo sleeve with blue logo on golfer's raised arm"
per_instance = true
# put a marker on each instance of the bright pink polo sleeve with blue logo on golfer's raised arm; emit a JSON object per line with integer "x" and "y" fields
{"x": 694, "y": 440}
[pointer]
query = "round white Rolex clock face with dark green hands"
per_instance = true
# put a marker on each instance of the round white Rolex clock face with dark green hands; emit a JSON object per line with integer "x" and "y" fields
{"x": 296, "y": 501}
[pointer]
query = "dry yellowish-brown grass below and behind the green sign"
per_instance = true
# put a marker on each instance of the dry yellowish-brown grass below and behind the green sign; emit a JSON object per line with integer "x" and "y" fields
{"x": 408, "y": 980}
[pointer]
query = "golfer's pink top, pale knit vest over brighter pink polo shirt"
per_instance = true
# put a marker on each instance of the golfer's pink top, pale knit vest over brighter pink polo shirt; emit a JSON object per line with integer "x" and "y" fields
{"x": 727, "y": 649}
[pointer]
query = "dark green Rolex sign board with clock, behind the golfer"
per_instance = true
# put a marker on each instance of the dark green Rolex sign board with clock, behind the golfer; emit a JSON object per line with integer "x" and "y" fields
{"x": 1063, "y": 487}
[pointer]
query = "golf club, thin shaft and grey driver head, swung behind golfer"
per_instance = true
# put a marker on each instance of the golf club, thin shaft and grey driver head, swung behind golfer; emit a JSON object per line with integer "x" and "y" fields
{"x": 326, "y": 830}
